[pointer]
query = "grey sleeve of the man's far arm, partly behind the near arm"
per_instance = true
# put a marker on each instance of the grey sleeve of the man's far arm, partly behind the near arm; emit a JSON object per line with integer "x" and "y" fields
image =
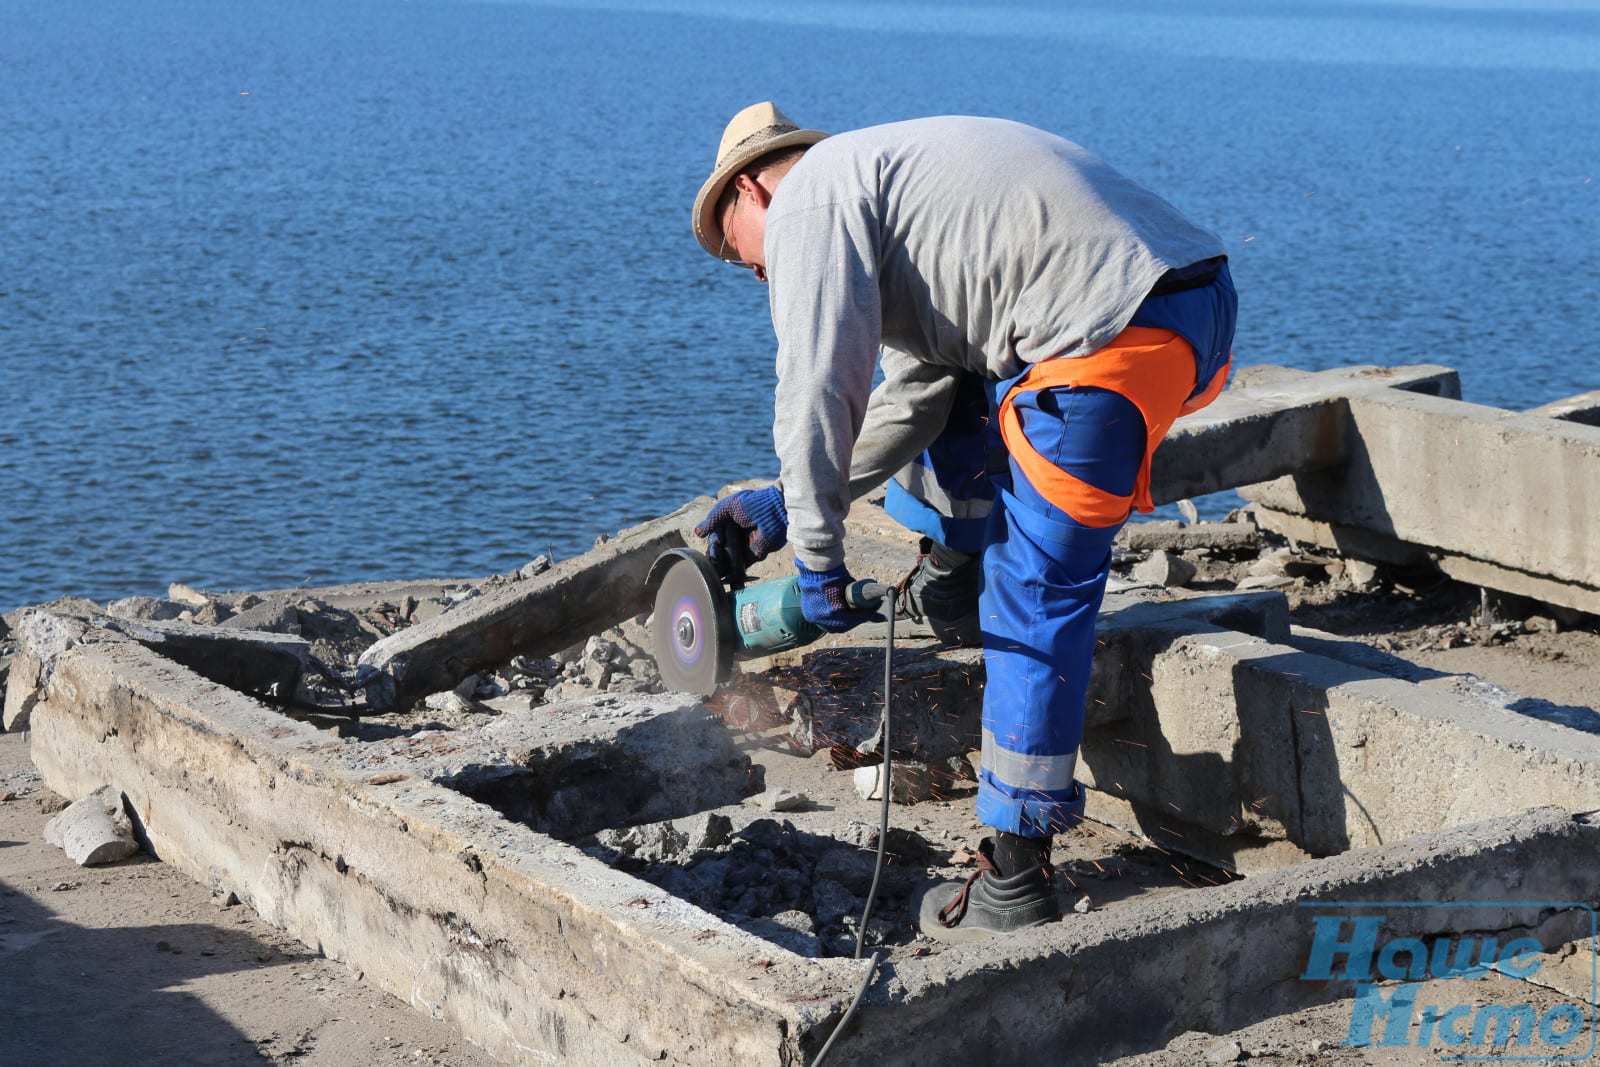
{"x": 905, "y": 415}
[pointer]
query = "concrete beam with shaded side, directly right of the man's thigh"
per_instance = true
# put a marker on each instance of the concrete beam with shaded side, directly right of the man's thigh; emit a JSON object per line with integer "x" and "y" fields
{"x": 1273, "y": 423}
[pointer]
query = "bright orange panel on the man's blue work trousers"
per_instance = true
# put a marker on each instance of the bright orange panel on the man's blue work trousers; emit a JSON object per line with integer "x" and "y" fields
{"x": 1156, "y": 372}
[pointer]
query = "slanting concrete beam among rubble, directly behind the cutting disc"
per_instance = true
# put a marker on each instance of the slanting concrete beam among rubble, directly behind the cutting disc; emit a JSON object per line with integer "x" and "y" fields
{"x": 530, "y": 618}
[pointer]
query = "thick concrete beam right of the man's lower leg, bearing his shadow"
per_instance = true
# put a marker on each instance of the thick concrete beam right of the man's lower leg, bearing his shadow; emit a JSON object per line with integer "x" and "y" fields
{"x": 1230, "y": 741}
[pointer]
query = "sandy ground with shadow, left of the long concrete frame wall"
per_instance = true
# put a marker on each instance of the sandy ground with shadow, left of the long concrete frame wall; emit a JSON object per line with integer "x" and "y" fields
{"x": 135, "y": 964}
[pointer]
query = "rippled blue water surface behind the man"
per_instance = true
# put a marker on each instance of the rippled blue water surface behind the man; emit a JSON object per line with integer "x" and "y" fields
{"x": 295, "y": 292}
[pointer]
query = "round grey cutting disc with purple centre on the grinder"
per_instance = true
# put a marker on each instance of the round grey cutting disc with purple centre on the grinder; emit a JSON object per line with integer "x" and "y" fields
{"x": 694, "y": 625}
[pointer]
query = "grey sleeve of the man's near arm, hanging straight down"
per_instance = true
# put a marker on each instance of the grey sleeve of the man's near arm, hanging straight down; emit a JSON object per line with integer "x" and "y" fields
{"x": 822, "y": 268}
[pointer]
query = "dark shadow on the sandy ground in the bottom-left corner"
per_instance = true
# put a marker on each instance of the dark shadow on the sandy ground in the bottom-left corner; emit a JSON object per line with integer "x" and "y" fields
{"x": 89, "y": 997}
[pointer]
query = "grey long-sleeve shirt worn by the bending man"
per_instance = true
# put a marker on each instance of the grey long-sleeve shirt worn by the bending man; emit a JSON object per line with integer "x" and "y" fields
{"x": 953, "y": 246}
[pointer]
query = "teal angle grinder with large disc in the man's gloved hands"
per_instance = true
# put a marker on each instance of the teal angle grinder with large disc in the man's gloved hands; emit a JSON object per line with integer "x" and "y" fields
{"x": 705, "y": 623}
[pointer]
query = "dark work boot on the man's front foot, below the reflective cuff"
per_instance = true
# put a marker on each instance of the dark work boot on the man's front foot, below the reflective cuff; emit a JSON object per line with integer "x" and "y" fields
{"x": 990, "y": 903}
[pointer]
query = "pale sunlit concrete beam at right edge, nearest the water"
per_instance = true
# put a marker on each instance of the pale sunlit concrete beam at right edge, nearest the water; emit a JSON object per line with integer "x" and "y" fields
{"x": 1481, "y": 484}
